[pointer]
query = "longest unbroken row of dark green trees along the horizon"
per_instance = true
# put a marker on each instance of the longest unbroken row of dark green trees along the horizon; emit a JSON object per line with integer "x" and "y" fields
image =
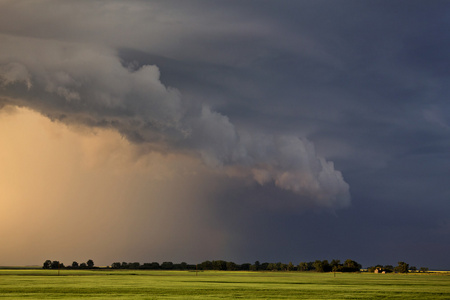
{"x": 222, "y": 265}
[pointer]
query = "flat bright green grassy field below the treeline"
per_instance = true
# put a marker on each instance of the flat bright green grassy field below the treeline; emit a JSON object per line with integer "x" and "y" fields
{"x": 119, "y": 284}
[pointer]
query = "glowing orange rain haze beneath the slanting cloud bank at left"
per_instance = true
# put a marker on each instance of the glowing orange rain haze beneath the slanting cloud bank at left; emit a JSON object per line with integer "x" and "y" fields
{"x": 67, "y": 194}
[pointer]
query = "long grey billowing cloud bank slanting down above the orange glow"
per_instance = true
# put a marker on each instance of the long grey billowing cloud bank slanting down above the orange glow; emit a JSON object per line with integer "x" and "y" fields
{"x": 87, "y": 84}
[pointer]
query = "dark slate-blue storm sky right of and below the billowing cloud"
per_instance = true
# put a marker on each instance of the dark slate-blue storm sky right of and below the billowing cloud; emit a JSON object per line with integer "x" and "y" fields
{"x": 368, "y": 84}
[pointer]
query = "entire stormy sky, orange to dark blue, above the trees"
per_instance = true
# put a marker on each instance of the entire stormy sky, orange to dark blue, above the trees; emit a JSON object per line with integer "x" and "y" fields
{"x": 290, "y": 131}
